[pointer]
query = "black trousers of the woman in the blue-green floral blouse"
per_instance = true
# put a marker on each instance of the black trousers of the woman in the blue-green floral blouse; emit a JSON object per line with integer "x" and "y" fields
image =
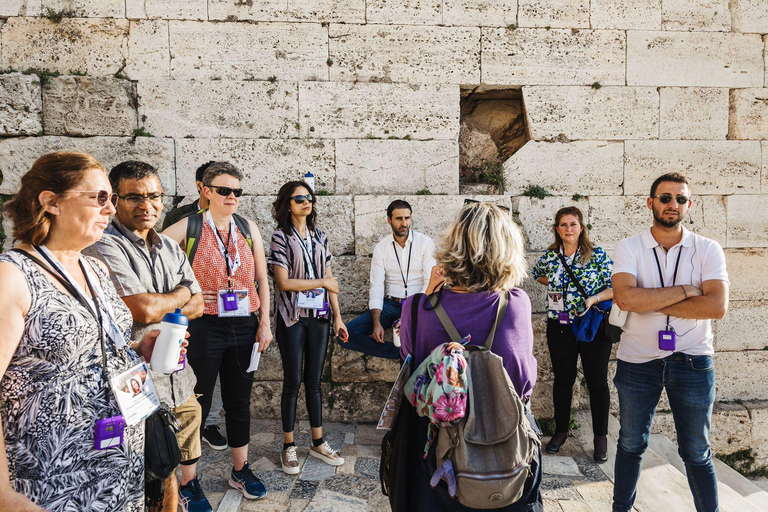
{"x": 564, "y": 351}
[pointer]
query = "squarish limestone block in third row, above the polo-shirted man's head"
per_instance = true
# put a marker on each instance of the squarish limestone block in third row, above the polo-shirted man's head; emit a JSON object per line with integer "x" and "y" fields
{"x": 693, "y": 113}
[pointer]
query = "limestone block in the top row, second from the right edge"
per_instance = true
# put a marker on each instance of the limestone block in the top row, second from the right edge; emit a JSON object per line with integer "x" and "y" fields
{"x": 699, "y": 15}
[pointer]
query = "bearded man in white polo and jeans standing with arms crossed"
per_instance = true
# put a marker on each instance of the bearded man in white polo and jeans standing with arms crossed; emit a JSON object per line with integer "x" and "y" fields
{"x": 673, "y": 283}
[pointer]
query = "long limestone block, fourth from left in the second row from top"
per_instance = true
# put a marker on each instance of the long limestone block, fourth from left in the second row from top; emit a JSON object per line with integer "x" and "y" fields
{"x": 420, "y": 55}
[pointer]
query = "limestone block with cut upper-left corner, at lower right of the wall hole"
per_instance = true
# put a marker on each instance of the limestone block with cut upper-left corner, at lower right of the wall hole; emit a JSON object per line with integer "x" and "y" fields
{"x": 586, "y": 168}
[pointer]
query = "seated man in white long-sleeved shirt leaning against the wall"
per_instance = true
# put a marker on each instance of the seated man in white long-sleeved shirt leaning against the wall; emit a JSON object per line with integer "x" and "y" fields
{"x": 400, "y": 267}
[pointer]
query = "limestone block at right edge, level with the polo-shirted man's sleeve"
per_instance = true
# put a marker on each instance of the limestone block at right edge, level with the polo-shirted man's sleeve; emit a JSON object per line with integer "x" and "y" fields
{"x": 746, "y": 282}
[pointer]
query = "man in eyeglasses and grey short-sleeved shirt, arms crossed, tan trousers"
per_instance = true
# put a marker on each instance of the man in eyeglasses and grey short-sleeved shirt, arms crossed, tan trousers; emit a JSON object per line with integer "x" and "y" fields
{"x": 153, "y": 277}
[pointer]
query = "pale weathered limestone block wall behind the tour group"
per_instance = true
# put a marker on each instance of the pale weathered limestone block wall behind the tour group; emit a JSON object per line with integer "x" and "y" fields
{"x": 366, "y": 94}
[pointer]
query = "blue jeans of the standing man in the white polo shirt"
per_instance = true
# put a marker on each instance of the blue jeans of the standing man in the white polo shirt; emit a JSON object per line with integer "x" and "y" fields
{"x": 690, "y": 384}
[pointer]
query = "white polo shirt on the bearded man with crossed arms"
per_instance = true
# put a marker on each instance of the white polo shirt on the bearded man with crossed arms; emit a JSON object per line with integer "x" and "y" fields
{"x": 701, "y": 260}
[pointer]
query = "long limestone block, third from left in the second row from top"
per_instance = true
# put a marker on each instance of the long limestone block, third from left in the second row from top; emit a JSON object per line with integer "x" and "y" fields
{"x": 287, "y": 51}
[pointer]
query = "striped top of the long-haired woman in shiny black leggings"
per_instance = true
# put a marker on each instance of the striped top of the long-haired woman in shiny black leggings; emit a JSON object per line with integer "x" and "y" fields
{"x": 286, "y": 252}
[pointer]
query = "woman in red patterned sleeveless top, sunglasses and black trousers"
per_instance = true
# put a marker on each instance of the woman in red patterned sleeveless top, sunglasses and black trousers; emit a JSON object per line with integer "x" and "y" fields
{"x": 233, "y": 275}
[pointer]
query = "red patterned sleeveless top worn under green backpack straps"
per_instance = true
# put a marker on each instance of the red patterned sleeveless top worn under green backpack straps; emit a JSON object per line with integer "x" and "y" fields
{"x": 211, "y": 271}
